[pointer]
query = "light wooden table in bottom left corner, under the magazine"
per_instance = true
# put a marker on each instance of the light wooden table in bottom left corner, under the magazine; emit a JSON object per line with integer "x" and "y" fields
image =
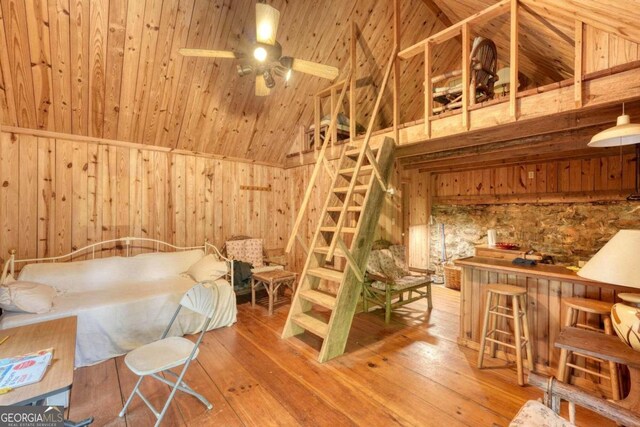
{"x": 60, "y": 334}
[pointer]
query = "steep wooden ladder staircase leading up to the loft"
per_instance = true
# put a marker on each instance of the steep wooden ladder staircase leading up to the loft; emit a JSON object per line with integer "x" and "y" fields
{"x": 346, "y": 233}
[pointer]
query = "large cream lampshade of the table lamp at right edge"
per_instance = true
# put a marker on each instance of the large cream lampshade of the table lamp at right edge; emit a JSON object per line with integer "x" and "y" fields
{"x": 617, "y": 261}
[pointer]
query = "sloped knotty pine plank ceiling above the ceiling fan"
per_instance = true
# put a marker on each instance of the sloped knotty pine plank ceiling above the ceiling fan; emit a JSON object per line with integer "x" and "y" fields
{"x": 110, "y": 68}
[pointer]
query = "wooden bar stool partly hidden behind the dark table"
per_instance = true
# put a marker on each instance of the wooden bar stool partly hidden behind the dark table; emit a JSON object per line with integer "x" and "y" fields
{"x": 574, "y": 307}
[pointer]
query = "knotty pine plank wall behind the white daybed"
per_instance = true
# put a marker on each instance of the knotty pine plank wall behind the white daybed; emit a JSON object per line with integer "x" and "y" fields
{"x": 58, "y": 194}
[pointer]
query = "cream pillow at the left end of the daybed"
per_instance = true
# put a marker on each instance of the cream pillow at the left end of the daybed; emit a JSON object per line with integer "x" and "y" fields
{"x": 29, "y": 297}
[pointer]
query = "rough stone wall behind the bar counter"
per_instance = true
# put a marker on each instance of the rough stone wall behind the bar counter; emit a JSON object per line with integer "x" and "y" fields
{"x": 568, "y": 232}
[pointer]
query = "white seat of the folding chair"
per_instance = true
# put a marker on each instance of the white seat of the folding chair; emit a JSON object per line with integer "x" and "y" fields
{"x": 159, "y": 355}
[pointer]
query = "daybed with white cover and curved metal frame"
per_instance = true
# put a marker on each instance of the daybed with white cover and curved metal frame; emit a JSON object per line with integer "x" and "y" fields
{"x": 122, "y": 302}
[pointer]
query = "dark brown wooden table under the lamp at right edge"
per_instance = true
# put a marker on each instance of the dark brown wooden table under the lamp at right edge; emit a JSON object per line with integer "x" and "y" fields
{"x": 610, "y": 348}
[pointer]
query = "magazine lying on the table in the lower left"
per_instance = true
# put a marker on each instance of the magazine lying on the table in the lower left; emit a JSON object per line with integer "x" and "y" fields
{"x": 26, "y": 369}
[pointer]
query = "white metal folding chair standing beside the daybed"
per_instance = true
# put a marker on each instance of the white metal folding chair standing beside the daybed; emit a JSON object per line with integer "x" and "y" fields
{"x": 160, "y": 356}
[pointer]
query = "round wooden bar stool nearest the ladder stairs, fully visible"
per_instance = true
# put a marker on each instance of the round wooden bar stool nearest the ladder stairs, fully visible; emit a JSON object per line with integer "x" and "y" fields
{"x": 518, "y": 313}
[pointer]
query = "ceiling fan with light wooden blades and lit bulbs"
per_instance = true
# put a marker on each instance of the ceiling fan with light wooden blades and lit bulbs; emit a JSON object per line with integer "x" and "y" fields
{"x": 264, "y": 56}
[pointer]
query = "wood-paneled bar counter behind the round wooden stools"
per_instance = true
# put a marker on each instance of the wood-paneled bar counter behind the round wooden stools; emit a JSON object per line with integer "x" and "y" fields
{"x": 547, "y": 286}
